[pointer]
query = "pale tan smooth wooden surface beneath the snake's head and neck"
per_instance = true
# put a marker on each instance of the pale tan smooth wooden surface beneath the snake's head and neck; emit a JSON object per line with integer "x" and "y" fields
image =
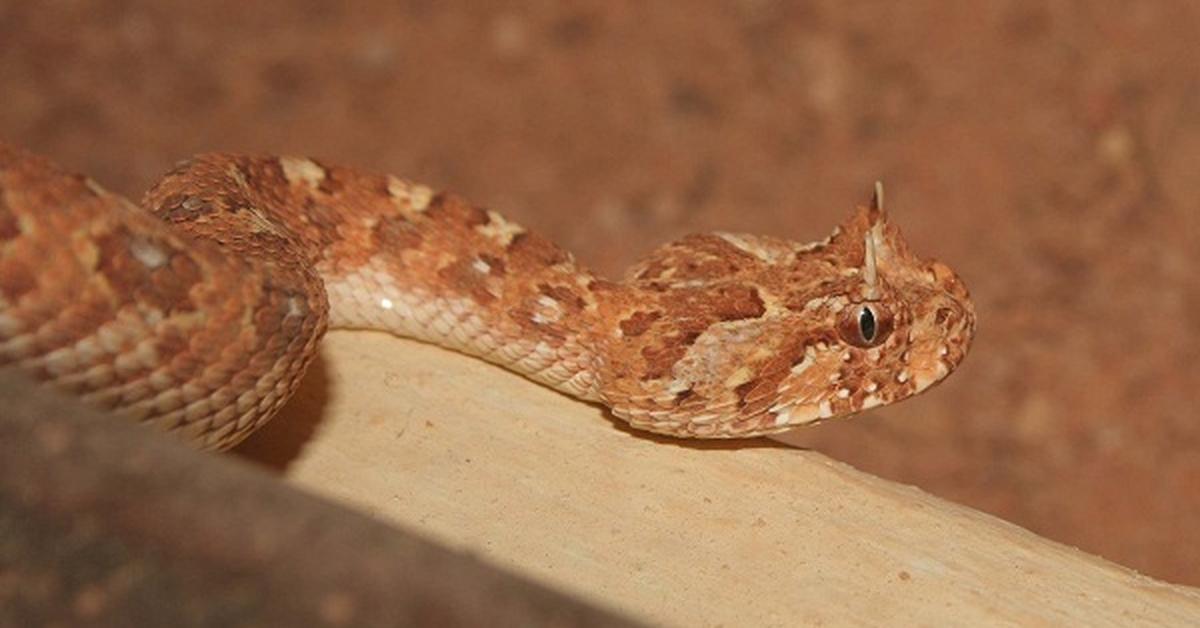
{"x": 670, "y": 533}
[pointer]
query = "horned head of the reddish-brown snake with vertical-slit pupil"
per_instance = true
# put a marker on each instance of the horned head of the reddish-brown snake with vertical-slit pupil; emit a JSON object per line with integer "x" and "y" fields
{"x": 731, "y": 336}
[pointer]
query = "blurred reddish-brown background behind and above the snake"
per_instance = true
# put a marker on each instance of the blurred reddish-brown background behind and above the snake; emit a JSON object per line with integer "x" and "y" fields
{"x": 1049, "y": 152}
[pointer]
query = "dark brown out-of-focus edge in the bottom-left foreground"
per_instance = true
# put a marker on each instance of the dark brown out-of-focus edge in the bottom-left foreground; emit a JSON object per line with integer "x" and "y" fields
{"x": 107, "y": 524}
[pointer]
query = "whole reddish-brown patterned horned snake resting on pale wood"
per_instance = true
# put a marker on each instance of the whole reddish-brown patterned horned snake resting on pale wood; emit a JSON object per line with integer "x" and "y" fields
{"x": 200, "y": 309}
